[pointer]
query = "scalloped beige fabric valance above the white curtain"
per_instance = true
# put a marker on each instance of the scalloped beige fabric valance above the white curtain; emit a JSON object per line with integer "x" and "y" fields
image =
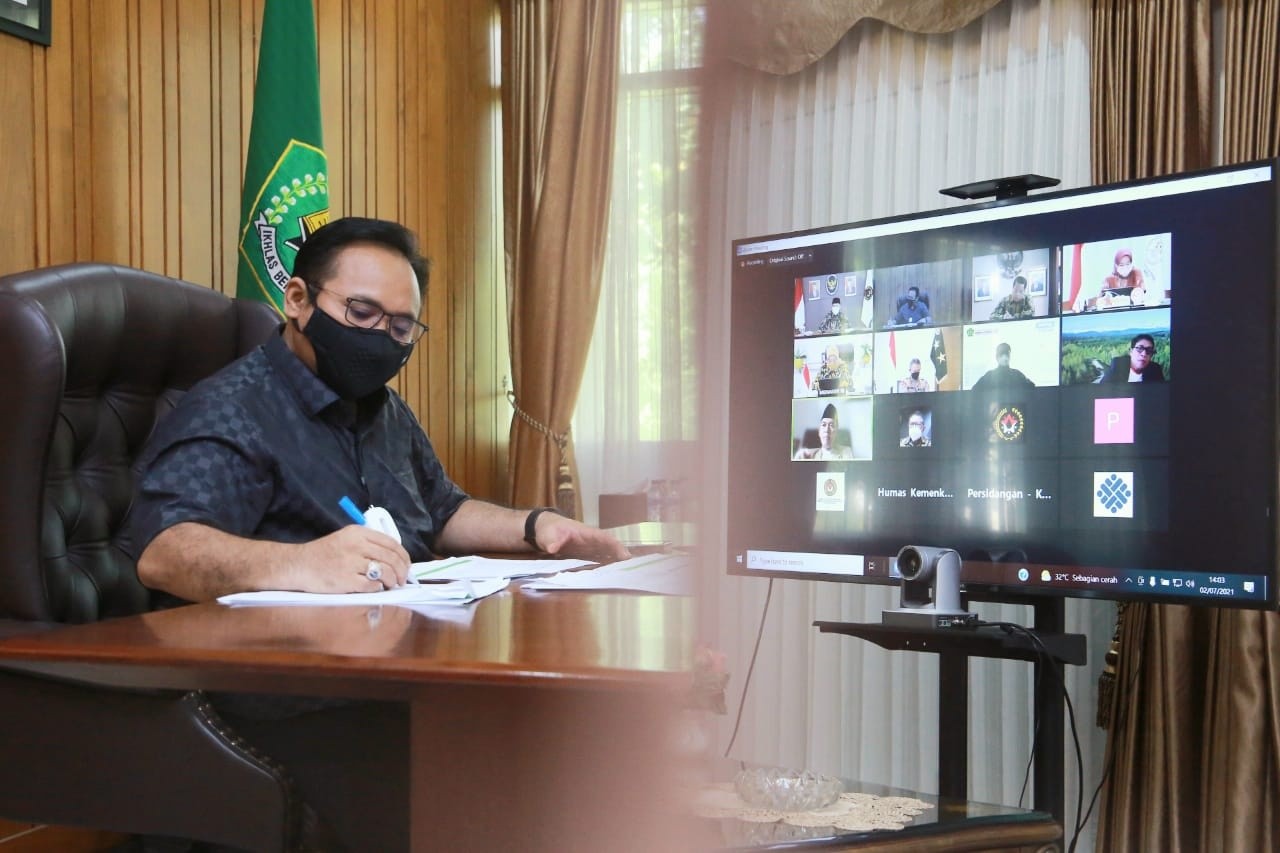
{"x": 785, "y": 38}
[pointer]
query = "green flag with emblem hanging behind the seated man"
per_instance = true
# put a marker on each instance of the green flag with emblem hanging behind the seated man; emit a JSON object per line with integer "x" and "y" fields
{"x": 286, "y": 194}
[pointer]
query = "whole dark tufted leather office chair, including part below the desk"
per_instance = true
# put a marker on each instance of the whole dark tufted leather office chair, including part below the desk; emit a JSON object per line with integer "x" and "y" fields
{"x": 93, "y": 357}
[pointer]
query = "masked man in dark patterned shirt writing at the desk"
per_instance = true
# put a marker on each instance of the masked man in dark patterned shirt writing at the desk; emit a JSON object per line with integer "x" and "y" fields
{"x": 240, "y": 489}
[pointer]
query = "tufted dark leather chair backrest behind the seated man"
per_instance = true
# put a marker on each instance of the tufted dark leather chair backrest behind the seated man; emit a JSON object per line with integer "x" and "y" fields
{"x": 94, "y": 357}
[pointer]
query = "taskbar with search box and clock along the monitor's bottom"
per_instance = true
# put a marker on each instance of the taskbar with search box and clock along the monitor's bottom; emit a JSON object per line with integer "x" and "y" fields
{"x": 1110, "y": 583}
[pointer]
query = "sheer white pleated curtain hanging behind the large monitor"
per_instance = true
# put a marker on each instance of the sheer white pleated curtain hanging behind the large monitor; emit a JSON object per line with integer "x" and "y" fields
{"x": 876, "y": 129}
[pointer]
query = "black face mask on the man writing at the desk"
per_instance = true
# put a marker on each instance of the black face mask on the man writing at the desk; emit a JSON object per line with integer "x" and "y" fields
{"x": 355, "y": 363}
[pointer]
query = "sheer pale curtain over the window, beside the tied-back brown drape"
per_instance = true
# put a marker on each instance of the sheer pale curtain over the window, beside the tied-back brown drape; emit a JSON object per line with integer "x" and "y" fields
{"x": 637, "y": 412}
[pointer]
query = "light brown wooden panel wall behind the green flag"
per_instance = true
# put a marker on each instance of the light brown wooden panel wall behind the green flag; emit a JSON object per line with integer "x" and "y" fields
{"x": 126, "y": 139}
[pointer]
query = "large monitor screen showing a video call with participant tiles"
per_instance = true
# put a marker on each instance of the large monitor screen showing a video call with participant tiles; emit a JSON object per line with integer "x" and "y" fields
{"x": 1075, "y": 391}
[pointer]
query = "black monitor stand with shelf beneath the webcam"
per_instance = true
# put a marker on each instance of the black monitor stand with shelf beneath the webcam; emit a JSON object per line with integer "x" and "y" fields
{"x": 954, "y": 647}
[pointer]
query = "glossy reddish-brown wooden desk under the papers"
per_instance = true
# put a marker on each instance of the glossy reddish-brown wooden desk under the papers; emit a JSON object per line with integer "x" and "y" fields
{"x": 538, "y": 703}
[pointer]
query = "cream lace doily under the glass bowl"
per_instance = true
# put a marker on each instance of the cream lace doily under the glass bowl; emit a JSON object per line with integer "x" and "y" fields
{"x": 852, "y": 813}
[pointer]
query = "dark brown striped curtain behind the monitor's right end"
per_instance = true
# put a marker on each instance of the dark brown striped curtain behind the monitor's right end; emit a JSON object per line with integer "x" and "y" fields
{"x": 1196, "y": 722}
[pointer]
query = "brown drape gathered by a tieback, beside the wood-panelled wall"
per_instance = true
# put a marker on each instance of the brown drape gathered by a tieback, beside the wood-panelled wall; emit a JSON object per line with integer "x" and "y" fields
{"x": 559, "y": 93}
